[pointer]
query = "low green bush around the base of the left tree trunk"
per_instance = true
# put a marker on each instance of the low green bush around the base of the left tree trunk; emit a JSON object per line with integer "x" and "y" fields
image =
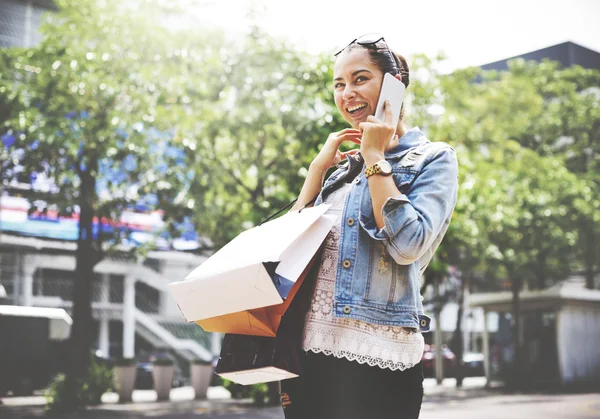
{"x": 90, "y": 389}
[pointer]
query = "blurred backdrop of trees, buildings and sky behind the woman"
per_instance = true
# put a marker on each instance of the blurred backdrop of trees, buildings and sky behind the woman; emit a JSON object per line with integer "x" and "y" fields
{"x": 138, "y": 137}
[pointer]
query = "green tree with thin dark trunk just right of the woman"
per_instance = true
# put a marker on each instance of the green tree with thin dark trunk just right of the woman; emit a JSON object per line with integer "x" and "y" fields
{"x": 517, "y": 213}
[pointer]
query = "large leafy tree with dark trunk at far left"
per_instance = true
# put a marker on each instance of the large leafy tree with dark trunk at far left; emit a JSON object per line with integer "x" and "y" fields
{"x": 85, "y": 105}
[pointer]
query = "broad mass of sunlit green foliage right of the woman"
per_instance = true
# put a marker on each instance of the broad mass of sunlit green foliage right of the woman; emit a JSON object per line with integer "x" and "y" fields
{"x": 521, "y": 202}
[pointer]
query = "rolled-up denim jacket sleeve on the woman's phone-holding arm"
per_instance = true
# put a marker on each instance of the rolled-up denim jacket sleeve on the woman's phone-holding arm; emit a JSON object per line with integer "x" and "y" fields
{"x": 413, "y": 221}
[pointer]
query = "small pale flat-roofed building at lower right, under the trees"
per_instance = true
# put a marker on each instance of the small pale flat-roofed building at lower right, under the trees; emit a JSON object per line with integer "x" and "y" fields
{"x": 560, "y": 331}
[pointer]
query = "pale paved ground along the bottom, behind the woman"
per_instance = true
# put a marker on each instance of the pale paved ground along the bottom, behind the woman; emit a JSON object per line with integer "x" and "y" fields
{"x": 444, "y": 401}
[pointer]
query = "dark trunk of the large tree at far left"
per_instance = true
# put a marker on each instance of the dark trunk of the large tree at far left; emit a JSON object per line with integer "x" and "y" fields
{"x": 81, "y": 337}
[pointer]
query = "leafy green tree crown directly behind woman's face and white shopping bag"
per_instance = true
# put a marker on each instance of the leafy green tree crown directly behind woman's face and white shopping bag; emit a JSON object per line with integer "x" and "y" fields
{"x": 250, "y": 156}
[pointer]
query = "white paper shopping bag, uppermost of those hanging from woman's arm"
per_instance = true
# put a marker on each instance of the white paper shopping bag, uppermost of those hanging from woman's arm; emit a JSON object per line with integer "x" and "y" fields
{"x": 256, "y": 269}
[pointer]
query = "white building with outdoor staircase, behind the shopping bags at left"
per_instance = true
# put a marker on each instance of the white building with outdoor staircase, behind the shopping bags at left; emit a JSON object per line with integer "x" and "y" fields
{"x": 132, "y": 308}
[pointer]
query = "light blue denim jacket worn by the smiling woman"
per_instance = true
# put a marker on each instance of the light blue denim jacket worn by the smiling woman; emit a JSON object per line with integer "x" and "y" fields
{"x": 378, "y": 270}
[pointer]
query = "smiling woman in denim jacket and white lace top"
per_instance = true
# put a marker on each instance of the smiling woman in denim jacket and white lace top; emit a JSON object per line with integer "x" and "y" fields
{"x": 362, "y": 334}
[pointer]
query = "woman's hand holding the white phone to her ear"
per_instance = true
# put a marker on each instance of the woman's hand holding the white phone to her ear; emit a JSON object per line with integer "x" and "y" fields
{"x": 376, "y": 135}
